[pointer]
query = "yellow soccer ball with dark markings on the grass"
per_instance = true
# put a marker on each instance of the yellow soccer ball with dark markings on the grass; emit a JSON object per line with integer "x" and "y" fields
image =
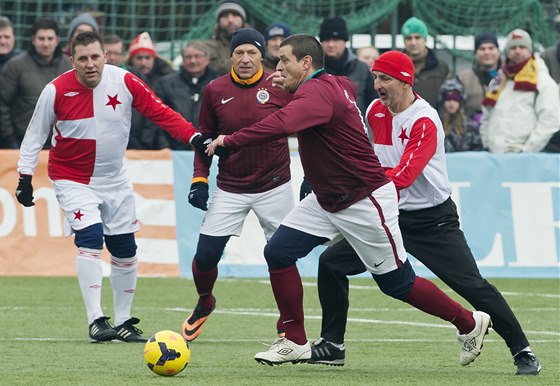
{"x": 167, "y": 353}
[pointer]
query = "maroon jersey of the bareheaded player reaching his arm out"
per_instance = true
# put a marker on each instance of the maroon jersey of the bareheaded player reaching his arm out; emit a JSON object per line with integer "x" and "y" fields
{"x": 336, "y": 155}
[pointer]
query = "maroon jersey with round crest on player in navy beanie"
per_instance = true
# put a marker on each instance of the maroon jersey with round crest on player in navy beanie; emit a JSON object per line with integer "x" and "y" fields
{"x": 227, "y": 107}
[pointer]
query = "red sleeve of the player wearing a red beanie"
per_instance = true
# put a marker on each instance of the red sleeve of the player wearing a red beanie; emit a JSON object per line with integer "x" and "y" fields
{"x": 420, "y": 148}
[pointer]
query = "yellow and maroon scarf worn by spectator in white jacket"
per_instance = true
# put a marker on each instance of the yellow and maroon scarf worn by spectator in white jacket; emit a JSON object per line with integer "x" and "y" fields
{"x": 524, "y": 76}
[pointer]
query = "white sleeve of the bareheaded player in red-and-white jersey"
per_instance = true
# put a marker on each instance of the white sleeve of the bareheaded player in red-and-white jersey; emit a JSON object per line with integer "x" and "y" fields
{"x": 38, "y": 130}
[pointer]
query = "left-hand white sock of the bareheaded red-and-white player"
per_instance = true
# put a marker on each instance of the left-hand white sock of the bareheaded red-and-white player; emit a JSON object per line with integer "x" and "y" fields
{"x": 90, "y": 277}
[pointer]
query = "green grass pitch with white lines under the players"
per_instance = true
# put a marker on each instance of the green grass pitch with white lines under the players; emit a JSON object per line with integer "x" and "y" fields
{"x": 44, "y": 341}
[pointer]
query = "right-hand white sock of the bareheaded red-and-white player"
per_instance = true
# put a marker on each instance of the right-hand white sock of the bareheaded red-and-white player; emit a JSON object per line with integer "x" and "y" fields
{"x": 123, "y": 280}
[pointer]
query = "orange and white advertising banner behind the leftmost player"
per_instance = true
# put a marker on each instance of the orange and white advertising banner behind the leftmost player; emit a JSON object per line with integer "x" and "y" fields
{"x": 32, "y": 241}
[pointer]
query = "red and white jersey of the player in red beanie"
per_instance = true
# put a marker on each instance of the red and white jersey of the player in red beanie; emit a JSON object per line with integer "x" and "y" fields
{"x": 410, "y": 146}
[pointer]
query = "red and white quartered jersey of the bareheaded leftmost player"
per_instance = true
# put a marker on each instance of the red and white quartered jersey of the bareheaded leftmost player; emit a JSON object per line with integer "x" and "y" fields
{"x": 92, "y": 126}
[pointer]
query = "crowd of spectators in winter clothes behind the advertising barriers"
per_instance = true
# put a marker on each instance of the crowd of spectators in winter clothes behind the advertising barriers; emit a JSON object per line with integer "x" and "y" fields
{"x": 478, "y": 106}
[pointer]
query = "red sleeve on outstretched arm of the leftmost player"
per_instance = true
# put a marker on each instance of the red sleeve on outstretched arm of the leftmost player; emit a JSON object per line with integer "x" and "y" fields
{"x": 150, "y": 106}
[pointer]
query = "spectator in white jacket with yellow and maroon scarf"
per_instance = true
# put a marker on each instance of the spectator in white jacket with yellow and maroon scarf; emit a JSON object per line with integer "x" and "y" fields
{"x": 521, "y": 110}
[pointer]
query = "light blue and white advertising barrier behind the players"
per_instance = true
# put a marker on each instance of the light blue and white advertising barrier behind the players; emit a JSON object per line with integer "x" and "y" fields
{"x": 509, "y": 207}
